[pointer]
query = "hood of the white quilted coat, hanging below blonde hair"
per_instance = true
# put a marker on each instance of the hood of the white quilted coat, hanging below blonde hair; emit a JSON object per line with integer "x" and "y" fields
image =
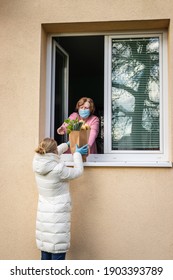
{"x": 43, "y": 164}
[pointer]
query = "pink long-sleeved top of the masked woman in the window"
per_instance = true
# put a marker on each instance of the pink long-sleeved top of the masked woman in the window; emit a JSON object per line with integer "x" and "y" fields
{"x": 93, "y": 122}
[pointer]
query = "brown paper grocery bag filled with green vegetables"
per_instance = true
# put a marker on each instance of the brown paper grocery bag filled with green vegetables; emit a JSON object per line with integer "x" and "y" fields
{"x": 78, "y": 134}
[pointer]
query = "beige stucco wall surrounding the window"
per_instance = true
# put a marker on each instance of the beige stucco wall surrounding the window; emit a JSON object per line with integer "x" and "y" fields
{"x": 118, "y": 213}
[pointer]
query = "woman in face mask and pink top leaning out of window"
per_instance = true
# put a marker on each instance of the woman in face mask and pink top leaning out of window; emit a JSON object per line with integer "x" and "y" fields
{"x": 85, "y": 111}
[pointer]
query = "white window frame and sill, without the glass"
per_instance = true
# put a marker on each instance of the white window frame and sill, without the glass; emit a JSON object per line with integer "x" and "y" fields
{"x": 122, "y": 158}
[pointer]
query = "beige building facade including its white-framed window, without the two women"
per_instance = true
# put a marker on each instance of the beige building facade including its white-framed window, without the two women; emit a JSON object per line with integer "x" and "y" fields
{"x": 123, "y": 204}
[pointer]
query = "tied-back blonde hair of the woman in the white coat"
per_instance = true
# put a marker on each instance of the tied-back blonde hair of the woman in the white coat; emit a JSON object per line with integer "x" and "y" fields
{"x": 47, "y": 145}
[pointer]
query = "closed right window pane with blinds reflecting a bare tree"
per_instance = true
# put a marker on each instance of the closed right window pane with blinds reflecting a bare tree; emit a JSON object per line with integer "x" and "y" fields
{"x": 135, "y": 94}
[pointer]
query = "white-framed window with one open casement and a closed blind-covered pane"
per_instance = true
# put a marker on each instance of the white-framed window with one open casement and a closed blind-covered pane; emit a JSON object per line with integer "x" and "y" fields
{"x": 130, "y": 71}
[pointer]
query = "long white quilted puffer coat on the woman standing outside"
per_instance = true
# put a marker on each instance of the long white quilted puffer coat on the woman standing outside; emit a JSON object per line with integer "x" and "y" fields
{"x": 54, "y": 204}
